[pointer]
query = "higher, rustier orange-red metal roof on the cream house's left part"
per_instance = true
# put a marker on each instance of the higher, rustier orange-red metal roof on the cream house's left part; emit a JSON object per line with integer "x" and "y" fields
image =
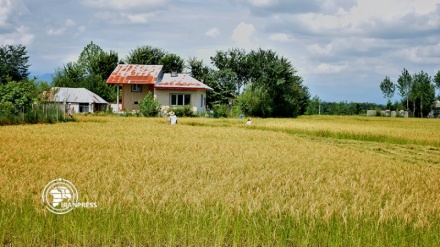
{"x": 135, "y": 74}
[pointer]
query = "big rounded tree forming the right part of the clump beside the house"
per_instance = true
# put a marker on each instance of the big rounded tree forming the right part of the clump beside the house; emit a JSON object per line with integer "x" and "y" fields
{"x": 275, "y": 86}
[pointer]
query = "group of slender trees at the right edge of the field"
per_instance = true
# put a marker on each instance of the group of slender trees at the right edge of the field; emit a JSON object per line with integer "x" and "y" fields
{"x": 417, "y": 91}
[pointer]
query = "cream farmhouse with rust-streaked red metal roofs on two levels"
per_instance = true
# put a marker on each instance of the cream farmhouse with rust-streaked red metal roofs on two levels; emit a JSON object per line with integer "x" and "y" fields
{"x": 170, "y": 89}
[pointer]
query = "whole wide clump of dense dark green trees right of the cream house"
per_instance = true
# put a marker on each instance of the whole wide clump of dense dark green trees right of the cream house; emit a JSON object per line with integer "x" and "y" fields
{"x": 275, "y": 91}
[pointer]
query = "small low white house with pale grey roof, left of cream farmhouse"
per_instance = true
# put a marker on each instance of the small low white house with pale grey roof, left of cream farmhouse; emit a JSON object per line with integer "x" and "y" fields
{"x": 81, "y": 99}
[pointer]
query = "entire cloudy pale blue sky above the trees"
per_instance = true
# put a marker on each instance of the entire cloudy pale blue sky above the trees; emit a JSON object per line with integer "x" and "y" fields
{"x": 342, "y": 48}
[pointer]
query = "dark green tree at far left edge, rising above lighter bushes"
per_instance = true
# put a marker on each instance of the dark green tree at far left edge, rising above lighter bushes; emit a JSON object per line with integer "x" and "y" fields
{"x": 13, "y": 63}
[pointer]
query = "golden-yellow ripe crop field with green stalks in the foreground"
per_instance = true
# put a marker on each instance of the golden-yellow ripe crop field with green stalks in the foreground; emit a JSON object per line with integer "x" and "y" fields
{"x": 310, "y": 181}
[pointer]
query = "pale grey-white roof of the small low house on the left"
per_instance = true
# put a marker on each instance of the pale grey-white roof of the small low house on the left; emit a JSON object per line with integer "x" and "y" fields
{"x": 76, "y": 95}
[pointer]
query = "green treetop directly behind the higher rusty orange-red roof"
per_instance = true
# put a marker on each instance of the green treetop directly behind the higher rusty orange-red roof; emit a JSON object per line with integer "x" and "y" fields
{"x": 145, "y": 55}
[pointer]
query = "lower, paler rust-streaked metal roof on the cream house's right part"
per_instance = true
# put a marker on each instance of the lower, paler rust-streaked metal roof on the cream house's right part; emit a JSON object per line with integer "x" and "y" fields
{"x": 181, "y": 81}
